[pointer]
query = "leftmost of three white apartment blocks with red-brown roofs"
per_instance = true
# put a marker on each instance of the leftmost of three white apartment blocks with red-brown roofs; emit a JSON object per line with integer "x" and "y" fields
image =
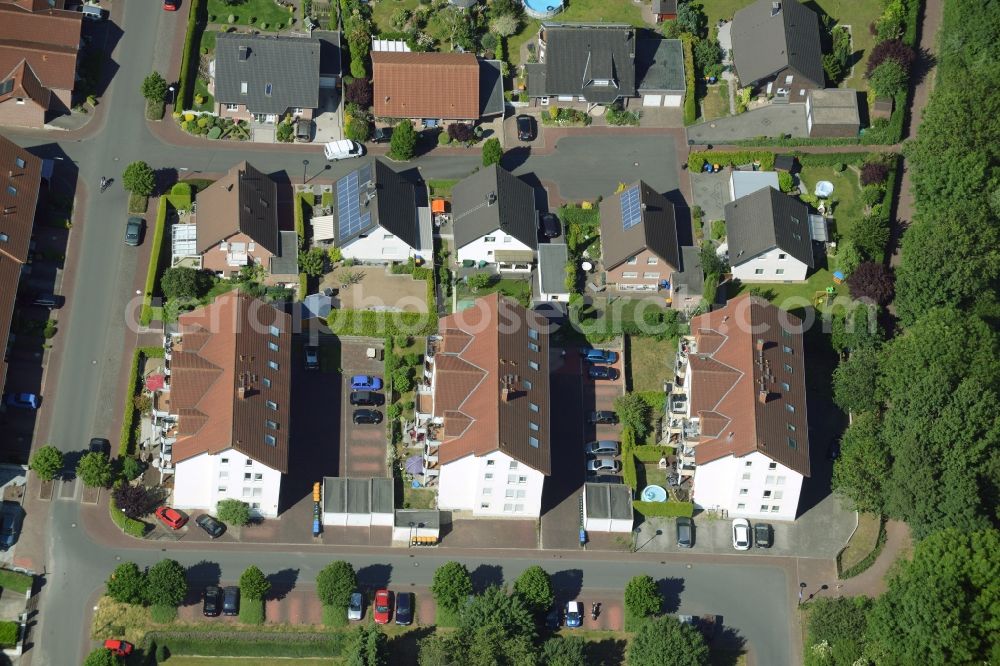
{"x": 230, "y": 389}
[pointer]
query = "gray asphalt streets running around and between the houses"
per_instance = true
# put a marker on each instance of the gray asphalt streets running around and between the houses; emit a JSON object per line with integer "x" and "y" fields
{"x": 750, "y": 598}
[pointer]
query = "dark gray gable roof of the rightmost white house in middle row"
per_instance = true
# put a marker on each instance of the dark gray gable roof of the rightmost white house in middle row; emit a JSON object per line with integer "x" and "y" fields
{"x": 764, "y": 220}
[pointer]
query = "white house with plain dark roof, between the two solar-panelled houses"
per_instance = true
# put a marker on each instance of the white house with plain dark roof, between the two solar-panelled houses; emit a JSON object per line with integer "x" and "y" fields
{"x": 495, "y": 220}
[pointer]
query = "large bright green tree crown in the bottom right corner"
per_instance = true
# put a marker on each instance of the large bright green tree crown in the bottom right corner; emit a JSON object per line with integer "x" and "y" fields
{"x": 941, "y": 606}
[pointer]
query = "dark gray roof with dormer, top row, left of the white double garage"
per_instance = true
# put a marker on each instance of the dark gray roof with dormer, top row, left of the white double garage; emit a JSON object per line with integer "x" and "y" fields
{"x": 578, "y": 55}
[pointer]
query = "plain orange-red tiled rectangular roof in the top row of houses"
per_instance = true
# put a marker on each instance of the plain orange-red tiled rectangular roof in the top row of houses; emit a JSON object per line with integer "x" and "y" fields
{"x": 426, "y": 85}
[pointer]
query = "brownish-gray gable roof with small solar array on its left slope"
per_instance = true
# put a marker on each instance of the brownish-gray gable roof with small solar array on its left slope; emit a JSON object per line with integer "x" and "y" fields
{"x": 655, "y": 230}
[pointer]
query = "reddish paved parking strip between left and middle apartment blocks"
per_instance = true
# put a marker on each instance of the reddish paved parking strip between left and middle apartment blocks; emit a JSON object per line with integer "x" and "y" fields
{"x": 364, "y": 445}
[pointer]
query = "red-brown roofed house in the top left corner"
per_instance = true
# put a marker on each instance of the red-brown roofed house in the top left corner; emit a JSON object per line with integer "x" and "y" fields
{"x": 39, "y": 45}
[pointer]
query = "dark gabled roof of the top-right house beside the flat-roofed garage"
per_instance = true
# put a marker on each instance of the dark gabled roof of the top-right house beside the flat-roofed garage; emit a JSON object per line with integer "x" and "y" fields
{"x": 765, "y": 41}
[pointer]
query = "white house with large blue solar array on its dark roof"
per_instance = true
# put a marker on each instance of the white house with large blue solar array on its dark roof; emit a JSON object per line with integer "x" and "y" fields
{"x": 376, "y": 217}
